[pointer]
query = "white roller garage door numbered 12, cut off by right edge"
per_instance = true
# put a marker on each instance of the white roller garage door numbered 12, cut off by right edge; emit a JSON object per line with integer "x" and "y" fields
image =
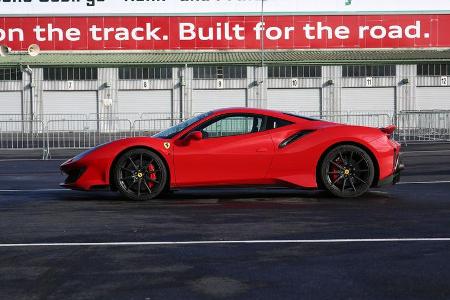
{"x": 428, "y": 98}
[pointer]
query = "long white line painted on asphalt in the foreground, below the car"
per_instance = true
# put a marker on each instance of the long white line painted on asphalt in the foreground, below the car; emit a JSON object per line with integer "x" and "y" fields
{"x": 325, "y": 241}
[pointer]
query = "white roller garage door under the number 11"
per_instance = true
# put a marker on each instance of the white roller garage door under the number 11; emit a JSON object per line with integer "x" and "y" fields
{"x": 374, "y": 100}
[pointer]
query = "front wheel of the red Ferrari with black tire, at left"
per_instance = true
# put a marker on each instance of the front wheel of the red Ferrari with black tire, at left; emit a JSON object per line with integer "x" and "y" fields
{"x": 140, "y": 174}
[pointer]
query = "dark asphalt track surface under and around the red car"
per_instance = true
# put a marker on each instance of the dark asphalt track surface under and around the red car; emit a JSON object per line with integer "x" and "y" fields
{"x": 226, "y": 244}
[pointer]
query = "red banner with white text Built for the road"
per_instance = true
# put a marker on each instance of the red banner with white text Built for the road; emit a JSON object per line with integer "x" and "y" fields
{"x": 221, "y": 32}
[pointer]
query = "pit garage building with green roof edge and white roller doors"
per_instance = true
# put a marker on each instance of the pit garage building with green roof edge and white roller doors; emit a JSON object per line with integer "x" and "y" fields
{"x": 185, "y": 83}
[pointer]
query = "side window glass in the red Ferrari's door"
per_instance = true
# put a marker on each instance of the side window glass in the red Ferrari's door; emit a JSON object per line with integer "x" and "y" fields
{"x": 233, "y": 125}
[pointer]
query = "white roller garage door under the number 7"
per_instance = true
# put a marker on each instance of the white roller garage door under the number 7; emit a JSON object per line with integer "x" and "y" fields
{"x": 64, "y": 102}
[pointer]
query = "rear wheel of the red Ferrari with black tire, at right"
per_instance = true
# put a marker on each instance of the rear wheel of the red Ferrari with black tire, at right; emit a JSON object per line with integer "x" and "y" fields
{"x": 347, "y": 171}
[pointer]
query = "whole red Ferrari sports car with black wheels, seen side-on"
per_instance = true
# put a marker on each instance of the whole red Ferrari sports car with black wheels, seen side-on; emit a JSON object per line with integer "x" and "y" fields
{"x": 239, "y": 147}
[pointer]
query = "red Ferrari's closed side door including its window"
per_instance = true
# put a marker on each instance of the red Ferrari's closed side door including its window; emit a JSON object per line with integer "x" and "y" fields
{"x": 234, "y": 149}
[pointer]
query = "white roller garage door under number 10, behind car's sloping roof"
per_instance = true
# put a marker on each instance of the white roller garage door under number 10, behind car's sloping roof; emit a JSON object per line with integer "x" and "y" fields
{"x": 294, "y": 100}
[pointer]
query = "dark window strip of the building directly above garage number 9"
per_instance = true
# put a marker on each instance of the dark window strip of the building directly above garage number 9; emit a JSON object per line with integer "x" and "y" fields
{"x": 215, "y": 72}
